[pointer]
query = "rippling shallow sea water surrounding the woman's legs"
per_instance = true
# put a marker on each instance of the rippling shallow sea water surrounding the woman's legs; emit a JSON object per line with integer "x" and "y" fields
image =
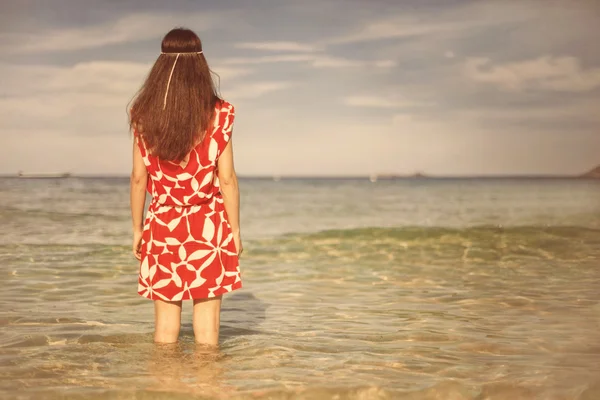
{"x": 407, "y": 289}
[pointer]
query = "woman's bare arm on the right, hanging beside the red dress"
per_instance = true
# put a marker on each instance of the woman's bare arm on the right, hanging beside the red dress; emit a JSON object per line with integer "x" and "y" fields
{"x": 231, "y": 195}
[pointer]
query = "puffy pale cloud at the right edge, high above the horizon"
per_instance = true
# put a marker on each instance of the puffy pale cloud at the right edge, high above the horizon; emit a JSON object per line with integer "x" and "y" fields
{"x": 560, "y": 74}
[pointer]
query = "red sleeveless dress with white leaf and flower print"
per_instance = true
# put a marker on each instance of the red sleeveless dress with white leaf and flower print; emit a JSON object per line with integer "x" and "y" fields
{"x": 188, "y": 251}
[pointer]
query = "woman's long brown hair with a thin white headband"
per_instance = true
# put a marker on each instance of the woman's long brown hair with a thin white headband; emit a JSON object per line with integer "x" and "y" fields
{"x": 172, "y": 123}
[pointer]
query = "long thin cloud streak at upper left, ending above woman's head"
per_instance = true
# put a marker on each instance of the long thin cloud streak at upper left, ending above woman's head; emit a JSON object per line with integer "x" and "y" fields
{"x": 127, "y": 29}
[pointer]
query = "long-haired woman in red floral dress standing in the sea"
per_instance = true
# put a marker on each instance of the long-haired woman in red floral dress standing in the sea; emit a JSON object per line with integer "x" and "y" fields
{"x": 189, "y": 243}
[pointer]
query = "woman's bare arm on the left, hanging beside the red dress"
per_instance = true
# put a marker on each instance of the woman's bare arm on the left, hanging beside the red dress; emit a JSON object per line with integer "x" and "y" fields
{"x": 139, "y": 178}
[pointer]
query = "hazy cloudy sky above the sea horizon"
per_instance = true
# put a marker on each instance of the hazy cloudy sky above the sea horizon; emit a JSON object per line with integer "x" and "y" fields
{"x": 321, "y": 87}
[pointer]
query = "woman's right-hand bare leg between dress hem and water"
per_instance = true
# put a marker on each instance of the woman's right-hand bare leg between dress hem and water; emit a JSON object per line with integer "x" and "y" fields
{"x": 206, "y": 320}
